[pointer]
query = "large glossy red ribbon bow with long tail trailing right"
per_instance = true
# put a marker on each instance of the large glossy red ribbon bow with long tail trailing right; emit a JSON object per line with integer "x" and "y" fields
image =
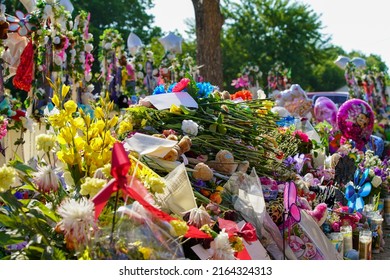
{"x": 120, "y": 166}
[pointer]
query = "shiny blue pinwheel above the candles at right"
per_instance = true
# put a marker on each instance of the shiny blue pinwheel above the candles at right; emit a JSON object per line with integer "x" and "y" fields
{"x": 356, "y": 190}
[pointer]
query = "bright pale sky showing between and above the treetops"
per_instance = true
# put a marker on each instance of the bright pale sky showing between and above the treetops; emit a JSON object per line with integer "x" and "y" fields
{"x": 353, "y": 24}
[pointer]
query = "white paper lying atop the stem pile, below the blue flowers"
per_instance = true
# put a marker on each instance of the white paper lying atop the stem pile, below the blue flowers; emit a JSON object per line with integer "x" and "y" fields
{"x": 166, "y": 100}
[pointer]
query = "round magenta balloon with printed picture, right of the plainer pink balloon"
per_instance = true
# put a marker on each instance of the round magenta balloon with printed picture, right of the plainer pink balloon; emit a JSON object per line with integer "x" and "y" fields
{"x": 355, "y": 120}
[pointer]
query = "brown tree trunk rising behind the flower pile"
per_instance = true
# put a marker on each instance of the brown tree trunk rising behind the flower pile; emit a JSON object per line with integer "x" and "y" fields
{"x": 209, "y": 21}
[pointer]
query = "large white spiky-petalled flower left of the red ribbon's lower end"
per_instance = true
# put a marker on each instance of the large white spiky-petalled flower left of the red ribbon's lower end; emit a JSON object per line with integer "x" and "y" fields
{"x": 77, "y": 219}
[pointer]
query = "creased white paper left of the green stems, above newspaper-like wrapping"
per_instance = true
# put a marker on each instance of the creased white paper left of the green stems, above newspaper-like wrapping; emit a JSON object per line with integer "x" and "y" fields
{"x": 149, "y": 145}
